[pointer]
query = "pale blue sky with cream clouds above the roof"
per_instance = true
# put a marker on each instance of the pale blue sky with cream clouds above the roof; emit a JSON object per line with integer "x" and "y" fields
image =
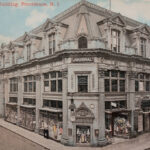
{"x": 15, "y": 21}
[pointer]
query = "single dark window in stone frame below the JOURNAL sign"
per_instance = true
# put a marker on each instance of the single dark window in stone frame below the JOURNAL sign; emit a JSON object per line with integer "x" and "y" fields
{"x": 83, "y": 84}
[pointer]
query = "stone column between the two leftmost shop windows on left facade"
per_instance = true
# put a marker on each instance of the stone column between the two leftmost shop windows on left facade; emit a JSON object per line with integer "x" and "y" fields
{"x": 20, "y": 98}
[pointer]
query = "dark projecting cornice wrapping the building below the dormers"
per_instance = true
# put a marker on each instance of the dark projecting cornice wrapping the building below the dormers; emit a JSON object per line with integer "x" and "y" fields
{"x": 72, "y": 53}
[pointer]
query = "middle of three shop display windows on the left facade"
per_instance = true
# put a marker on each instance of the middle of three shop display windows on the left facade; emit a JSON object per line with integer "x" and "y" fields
{"x": 27, "y": 117}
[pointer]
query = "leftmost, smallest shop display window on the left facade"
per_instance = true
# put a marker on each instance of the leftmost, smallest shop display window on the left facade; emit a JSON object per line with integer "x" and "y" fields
{"x": 11, "y": 112}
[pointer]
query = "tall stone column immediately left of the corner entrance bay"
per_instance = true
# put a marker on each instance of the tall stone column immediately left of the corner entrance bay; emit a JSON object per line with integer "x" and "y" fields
{"x": 64, "y": 139}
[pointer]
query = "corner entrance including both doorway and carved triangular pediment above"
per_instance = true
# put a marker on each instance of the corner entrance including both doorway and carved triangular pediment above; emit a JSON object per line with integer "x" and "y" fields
{"x": 82, "y": 120}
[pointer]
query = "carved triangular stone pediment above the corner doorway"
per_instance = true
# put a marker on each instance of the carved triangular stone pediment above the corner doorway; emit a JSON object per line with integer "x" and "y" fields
{"x": 84, "y": 114}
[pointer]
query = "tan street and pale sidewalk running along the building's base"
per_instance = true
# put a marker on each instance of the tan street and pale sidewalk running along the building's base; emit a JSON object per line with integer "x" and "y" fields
{"x": 13, "y": 137}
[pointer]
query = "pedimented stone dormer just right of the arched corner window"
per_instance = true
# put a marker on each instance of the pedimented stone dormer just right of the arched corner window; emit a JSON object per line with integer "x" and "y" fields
{"x": 113, "y": 32}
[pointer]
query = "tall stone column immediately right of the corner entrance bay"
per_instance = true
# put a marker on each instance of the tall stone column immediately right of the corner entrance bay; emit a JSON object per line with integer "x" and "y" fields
{"x": 101, "y": 109}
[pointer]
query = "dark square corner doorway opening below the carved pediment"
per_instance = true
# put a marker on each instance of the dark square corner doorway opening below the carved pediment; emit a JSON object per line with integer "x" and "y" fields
{"x": 83, "y": 134}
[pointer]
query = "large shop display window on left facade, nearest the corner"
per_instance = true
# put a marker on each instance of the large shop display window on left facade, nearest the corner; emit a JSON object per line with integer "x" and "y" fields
{"x": 51, "y": 119}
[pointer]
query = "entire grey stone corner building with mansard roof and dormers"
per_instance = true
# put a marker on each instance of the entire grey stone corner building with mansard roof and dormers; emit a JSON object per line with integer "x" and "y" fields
{"x": 85, "y": 75}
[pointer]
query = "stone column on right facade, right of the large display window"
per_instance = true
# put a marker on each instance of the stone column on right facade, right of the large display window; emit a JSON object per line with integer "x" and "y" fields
{"x": 131, "y": 98}
